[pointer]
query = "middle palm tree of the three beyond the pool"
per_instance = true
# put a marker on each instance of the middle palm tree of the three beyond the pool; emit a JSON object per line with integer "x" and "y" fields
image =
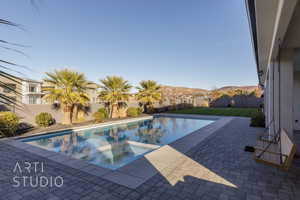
{"x": 114, "y": 92}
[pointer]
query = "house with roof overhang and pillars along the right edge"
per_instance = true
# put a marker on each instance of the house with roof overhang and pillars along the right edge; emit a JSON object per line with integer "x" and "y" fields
{"x": 275, "y": 30}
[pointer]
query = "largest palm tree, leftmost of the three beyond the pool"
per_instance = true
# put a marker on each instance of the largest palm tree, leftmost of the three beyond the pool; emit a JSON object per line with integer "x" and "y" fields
{"x": 69, "y": 89}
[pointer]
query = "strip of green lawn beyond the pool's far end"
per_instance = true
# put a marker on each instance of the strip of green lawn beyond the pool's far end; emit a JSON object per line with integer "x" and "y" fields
{"x": 241, "y": 112}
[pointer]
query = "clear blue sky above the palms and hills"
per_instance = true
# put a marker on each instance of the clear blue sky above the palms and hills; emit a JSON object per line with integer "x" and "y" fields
{"x": 194, "y": 43}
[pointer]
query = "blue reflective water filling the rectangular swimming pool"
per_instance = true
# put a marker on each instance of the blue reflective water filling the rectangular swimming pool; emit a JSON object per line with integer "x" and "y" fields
{"x": 115, "y": 146}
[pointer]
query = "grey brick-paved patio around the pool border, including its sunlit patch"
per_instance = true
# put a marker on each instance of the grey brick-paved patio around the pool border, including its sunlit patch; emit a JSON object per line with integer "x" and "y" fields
{"x": 216, "y": 168}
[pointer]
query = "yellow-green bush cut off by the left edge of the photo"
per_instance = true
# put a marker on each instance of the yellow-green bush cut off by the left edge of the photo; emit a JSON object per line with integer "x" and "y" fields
{"x": 9, "y": 123}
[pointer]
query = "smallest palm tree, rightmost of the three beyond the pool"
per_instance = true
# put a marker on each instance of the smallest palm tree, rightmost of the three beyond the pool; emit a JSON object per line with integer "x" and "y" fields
{"x": 148, "y": 93}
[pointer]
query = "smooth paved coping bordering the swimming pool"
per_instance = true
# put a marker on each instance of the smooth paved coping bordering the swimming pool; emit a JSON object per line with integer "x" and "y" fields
{"x": 138, "y": 171}
